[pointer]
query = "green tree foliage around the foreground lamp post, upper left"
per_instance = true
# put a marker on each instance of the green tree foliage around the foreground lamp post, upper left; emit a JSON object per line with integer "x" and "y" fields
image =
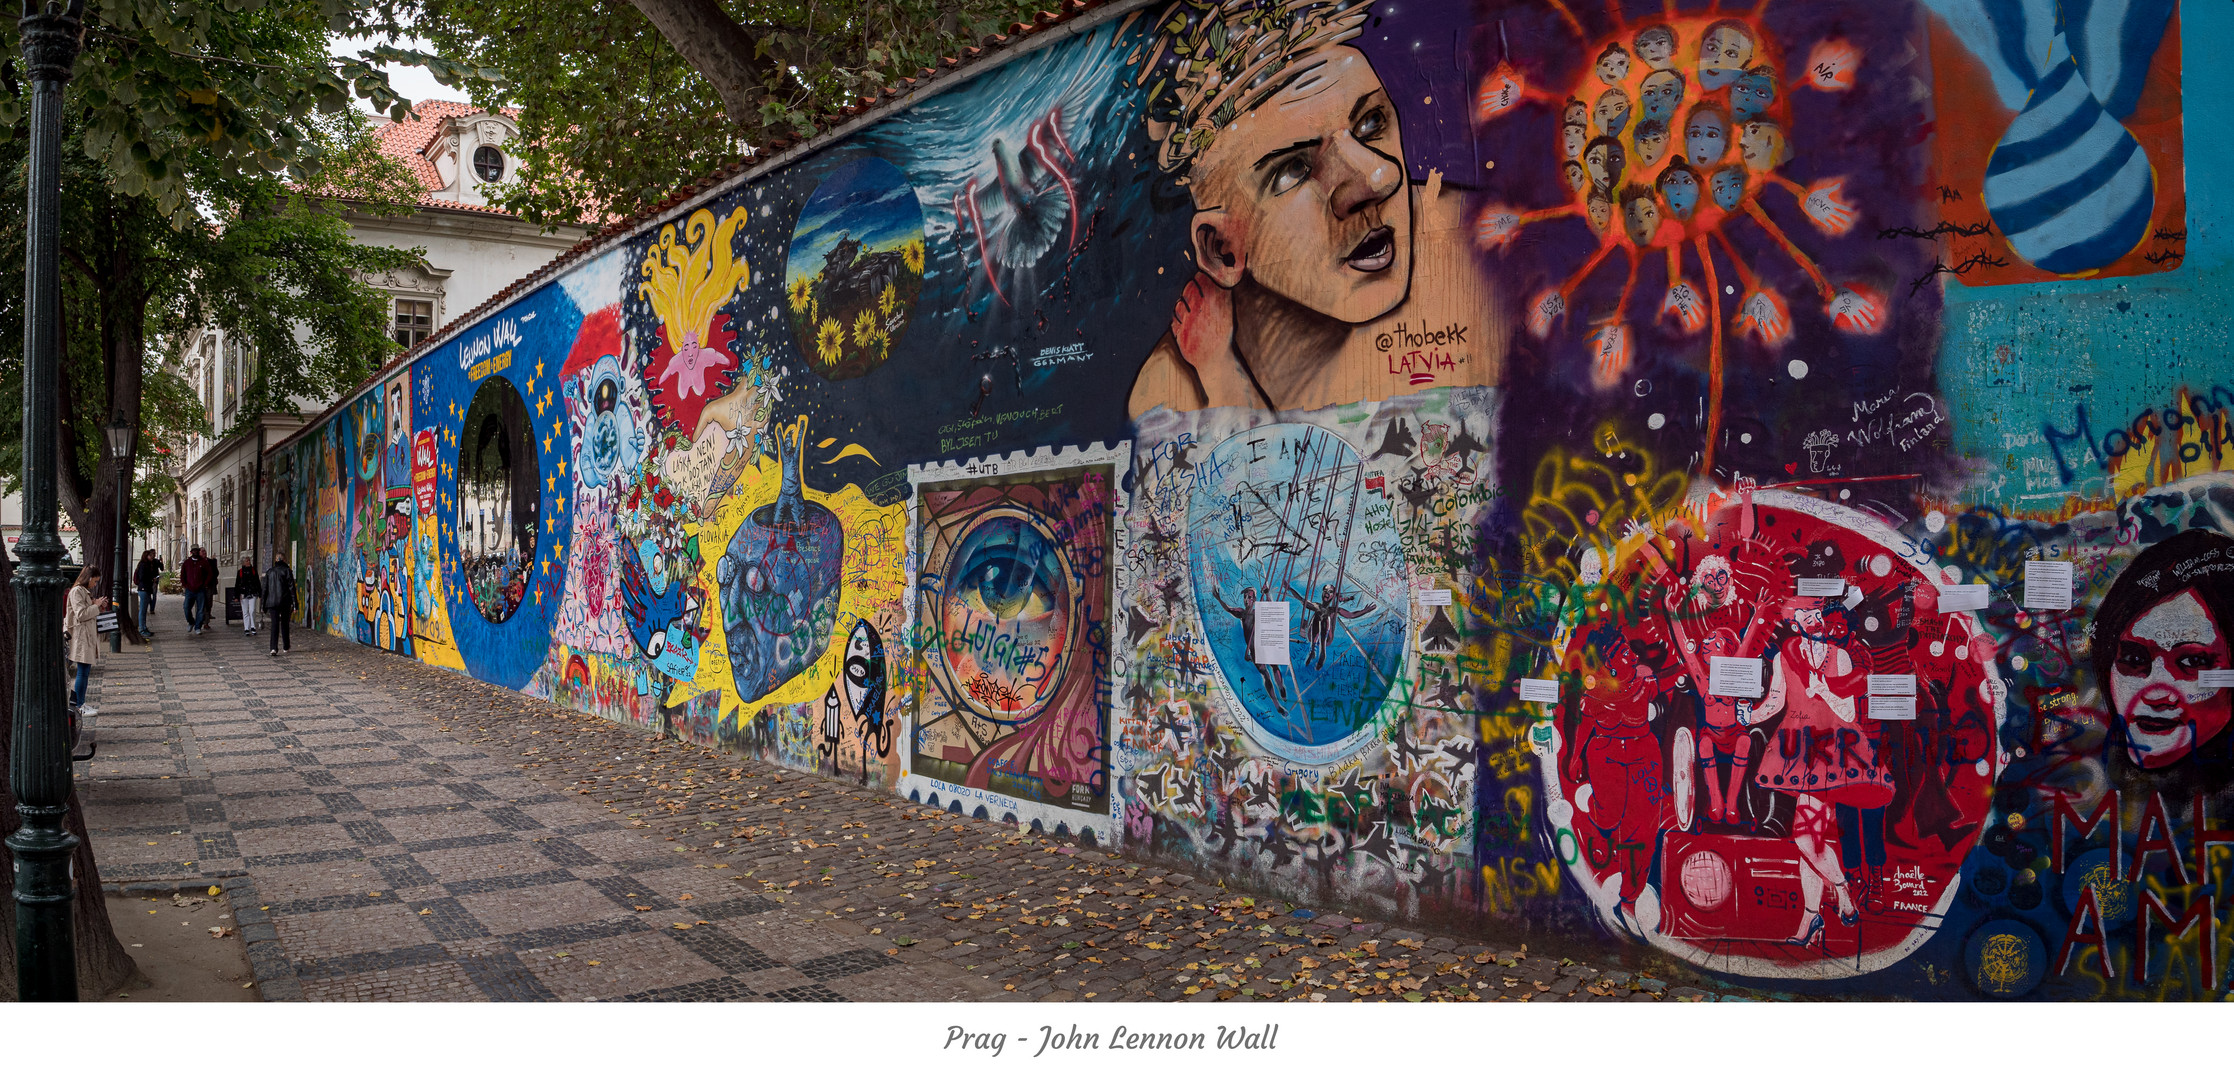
{"x": 204, "y": 146}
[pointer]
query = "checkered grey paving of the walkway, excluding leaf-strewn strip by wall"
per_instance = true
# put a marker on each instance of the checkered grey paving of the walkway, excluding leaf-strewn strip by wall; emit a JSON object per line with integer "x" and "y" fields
{"x": 392, "y": 862}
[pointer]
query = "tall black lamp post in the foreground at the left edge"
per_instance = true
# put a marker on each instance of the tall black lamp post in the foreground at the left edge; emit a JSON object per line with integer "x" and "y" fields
{"x": 39, "y": 761}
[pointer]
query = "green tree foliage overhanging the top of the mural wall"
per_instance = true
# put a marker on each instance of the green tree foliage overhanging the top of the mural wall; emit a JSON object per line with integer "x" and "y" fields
{"x": 615, "y": 113}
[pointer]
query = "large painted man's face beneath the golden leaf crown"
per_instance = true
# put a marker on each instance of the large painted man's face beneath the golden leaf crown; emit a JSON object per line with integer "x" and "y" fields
{"x": 1306, "y": 193}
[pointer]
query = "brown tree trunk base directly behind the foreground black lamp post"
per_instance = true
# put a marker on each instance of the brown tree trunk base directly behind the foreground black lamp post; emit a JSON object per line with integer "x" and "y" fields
{"x": 104, "y": 963}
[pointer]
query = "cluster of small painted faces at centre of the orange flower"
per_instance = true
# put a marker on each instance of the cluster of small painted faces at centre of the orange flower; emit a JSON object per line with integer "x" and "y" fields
{"x": 1594, "y": 167}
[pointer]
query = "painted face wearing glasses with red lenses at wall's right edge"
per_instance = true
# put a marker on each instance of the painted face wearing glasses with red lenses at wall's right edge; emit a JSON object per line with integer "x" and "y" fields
{"x": 2157, "y": 681}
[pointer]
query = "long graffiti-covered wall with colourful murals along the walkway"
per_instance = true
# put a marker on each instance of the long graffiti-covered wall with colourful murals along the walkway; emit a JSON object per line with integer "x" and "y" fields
{"x": 1744, "y": 484}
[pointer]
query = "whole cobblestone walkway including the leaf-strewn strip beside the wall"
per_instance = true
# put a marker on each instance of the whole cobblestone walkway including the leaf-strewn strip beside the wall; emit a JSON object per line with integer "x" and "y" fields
{"x": 390, "y": 831}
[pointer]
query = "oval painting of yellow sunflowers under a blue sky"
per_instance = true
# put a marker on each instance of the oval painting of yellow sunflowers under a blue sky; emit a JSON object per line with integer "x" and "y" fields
{"x": 855, "y": 267}
